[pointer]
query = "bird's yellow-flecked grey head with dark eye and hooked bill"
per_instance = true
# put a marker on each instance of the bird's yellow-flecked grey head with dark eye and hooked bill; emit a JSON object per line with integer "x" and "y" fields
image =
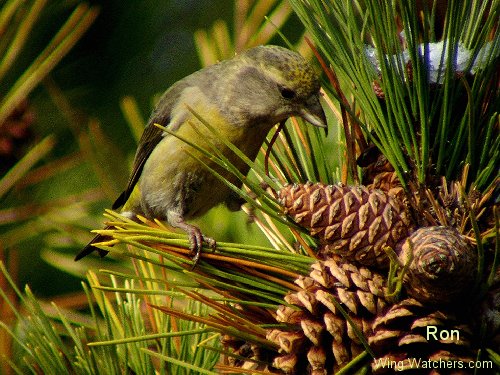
{"x": 273, "y": 83}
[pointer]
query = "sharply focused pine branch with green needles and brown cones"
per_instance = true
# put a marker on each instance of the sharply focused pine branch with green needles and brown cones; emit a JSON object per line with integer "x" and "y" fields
{"x": 358, "y": 245}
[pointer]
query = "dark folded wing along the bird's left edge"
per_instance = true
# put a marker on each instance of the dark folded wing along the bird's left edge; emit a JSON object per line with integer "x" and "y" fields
{"x": 151, "y": 136}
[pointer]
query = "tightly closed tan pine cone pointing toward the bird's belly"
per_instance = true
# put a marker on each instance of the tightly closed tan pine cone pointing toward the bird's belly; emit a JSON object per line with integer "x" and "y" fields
{"x": 354, "y": 222}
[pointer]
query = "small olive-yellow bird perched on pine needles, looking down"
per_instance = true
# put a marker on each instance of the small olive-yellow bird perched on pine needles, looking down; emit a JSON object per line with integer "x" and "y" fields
{"x": 242, "y": 98}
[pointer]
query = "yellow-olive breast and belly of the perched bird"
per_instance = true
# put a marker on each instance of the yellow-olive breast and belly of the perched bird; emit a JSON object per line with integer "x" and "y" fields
{"x": 177, "y": 175}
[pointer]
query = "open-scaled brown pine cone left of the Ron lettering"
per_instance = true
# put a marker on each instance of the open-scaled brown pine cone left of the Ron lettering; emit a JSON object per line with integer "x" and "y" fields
{"x": 318, "y": 338}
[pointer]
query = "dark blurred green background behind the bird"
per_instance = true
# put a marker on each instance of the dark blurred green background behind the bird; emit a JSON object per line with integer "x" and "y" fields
{"x": 134, "y": 49}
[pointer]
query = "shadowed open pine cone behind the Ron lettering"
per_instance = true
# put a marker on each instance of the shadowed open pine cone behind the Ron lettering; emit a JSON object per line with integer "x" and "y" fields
{"x": 409, "y": 334}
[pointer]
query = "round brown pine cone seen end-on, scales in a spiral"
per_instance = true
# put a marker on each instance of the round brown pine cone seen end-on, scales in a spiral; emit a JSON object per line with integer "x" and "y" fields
{"x": 443, "y": 266}
